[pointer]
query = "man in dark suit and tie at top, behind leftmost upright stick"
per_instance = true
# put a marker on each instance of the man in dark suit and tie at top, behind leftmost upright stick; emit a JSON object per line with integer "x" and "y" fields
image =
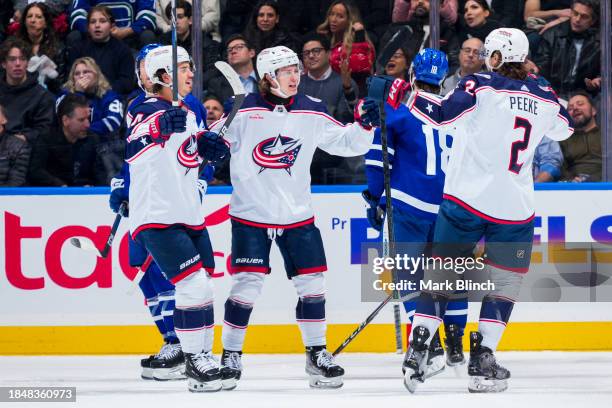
{"x": 210, "y": 48}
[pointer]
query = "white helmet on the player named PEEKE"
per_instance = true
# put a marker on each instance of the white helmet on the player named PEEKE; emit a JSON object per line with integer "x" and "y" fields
{"x": 512, "y": 43}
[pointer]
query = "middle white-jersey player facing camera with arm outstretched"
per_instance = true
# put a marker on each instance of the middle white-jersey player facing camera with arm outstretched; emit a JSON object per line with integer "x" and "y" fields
{"x": 272, "y": 141}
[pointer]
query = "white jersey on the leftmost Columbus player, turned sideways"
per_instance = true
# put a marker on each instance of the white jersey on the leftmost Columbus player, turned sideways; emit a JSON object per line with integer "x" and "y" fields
{"x": 163, "y": 177}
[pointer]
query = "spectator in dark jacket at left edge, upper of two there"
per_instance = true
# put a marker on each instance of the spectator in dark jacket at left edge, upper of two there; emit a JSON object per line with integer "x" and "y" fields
{"x": 28, "y": 106}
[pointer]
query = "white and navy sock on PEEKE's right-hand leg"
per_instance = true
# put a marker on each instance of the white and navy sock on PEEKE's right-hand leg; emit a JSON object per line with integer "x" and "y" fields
{"x": 494, "y": 315}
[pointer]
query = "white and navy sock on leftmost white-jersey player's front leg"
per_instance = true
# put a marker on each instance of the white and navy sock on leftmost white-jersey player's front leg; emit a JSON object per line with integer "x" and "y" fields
{"x": 194, "y": 314}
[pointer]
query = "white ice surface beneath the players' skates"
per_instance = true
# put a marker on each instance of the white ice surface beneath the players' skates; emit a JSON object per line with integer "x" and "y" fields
{"x": 539, "y": 379}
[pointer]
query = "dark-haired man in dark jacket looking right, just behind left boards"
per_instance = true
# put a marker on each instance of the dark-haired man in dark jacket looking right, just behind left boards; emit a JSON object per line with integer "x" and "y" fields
{"x": 66, "y": 156}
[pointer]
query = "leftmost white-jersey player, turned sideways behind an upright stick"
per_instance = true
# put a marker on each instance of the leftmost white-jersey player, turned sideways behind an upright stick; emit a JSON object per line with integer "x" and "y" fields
{"x": 165, "y": 149}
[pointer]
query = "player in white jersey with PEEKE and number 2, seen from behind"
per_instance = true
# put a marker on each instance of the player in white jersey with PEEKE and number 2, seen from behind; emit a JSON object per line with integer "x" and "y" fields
{"x": 499, "y": 118}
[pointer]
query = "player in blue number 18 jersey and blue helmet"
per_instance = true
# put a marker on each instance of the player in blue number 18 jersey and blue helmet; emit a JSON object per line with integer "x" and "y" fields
{"x": 418, "y": 156}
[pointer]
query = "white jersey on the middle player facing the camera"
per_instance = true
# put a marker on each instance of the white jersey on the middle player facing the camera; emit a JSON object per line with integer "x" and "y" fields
{"x": 271, "y": 150}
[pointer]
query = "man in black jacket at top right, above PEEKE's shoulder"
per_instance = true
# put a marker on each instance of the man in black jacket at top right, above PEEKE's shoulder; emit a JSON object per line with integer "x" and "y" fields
{"x": 569, "y": 53}
